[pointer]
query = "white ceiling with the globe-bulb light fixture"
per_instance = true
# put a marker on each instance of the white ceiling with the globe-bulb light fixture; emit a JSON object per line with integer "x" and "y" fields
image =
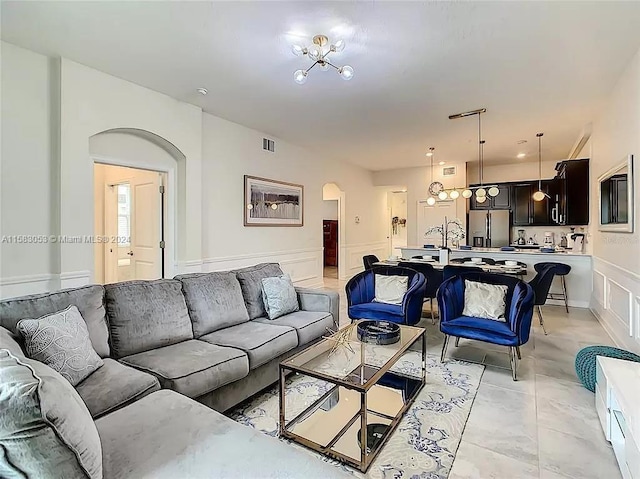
{"x": 535, "y": 66}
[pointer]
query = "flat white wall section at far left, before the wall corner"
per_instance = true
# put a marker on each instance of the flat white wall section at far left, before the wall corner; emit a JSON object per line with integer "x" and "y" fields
{"x": 27, "y": 170}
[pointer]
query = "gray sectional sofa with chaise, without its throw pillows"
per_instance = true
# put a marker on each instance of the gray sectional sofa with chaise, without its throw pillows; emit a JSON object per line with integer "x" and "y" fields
{"x": 171, "y": 347}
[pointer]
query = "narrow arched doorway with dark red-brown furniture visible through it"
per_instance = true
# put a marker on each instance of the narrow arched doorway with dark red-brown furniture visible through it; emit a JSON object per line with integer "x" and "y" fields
{"x": 333, "y": 231}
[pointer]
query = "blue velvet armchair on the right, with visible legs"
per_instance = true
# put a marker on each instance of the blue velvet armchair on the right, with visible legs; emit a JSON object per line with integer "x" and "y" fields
{"x": 513, "y": 333}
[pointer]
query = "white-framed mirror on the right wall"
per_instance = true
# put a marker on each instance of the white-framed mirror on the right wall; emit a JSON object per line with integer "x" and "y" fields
{"x": 615, "y": 189}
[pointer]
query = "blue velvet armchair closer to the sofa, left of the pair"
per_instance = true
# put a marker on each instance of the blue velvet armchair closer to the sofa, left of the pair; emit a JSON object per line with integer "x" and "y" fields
{"x": 361, "y": 291}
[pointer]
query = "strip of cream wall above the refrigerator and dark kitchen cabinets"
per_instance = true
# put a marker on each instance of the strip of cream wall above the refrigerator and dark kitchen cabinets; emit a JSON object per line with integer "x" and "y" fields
{"x": 518, "y": 170}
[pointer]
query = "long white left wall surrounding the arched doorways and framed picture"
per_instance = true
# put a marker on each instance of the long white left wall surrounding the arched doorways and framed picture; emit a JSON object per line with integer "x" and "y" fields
{"x": 52, "y": 111}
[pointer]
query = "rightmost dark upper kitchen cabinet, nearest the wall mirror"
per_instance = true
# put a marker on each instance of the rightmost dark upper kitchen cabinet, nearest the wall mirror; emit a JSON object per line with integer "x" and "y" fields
{"x": 573, "y": 176}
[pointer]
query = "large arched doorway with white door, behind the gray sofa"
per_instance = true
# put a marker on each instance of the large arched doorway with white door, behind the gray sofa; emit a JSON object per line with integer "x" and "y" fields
{"x": 138, "y": 204}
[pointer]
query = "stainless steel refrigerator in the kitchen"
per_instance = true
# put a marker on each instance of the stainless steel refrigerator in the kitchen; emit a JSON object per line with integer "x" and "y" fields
{"x": 489, "y": 229}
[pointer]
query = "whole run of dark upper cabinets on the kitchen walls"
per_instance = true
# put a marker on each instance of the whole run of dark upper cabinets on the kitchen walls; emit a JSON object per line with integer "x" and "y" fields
{"x": 567, "y": 201}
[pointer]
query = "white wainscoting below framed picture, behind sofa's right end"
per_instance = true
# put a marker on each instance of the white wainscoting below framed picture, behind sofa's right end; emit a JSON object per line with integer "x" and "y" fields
{"x": 303, "y": 265}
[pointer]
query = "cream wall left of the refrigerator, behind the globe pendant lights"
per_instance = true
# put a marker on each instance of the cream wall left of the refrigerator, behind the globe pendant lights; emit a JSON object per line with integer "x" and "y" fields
{"x": 416, "y": 181}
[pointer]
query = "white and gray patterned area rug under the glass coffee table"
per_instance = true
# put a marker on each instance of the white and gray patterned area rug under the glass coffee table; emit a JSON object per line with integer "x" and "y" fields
{"x": 426, "y": 440}
